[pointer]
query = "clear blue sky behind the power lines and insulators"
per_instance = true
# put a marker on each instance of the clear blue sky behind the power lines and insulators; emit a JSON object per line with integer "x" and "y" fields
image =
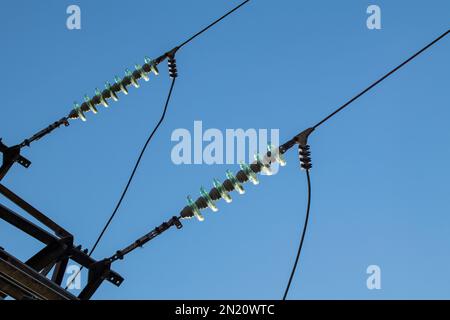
{"x": 380, "y": 175}
